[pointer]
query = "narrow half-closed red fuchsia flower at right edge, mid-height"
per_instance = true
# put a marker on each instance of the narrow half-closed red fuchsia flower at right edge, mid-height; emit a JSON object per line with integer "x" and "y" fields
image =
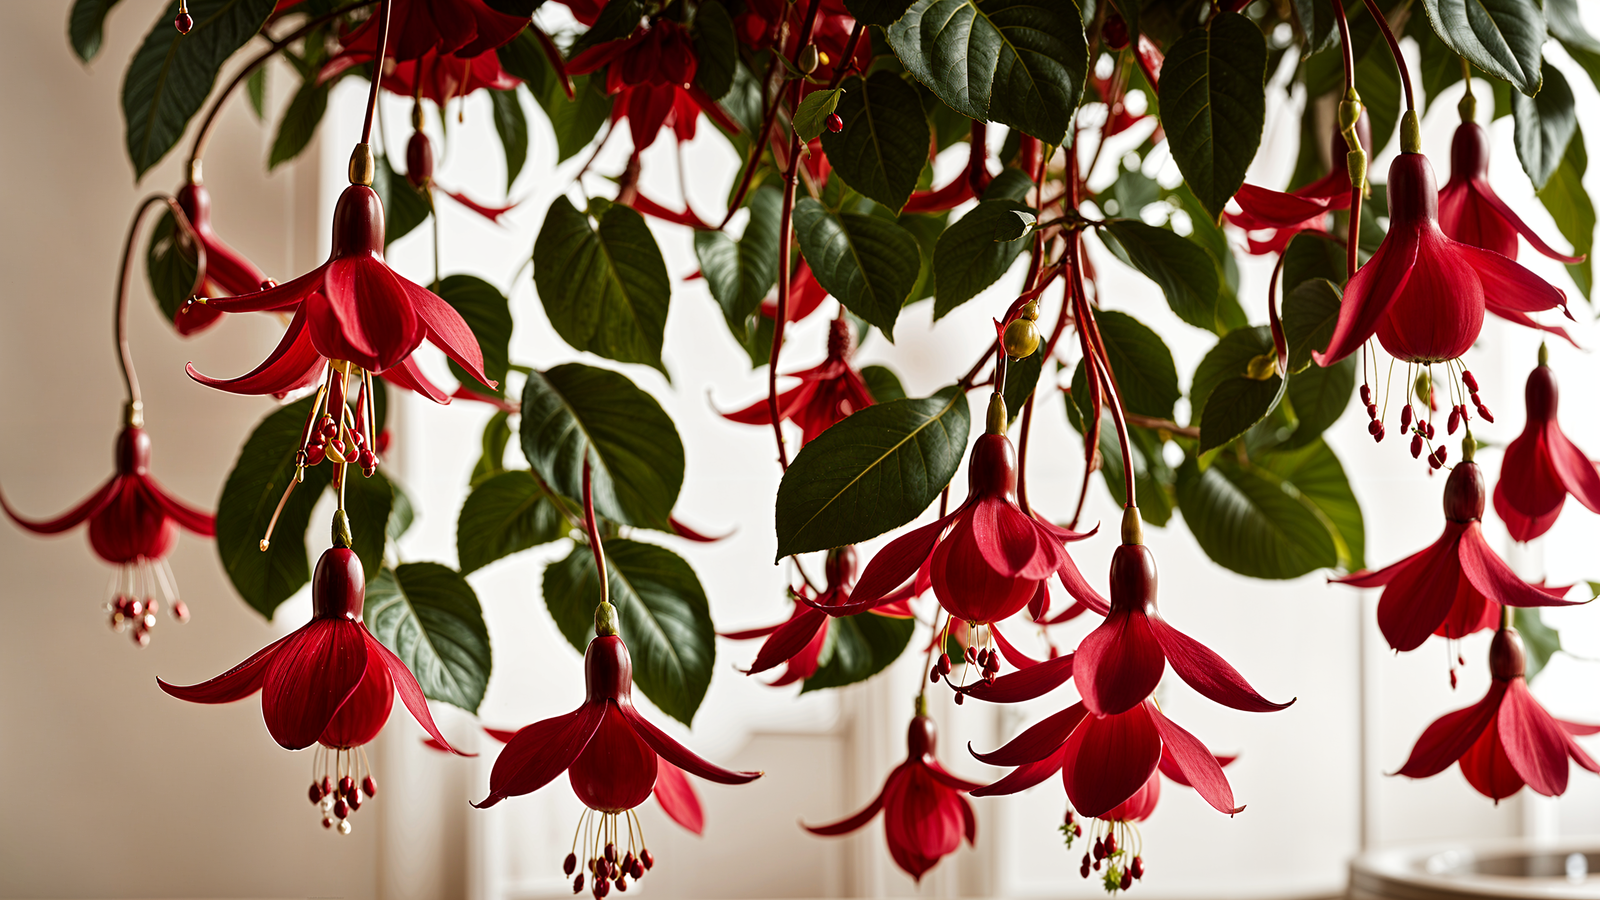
{"x": 1543, "y": 465}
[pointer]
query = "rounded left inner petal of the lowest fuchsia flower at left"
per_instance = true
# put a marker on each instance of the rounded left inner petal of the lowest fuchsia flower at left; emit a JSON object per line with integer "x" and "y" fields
{"x": 310, "y": 678}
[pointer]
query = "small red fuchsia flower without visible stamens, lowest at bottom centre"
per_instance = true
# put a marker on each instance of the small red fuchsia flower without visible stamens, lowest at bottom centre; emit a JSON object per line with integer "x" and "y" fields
{"x": 924, "y": 811}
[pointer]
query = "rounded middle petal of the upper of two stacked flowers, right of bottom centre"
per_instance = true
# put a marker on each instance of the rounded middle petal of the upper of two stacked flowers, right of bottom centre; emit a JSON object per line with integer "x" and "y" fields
{"x": 1119, "y": 664}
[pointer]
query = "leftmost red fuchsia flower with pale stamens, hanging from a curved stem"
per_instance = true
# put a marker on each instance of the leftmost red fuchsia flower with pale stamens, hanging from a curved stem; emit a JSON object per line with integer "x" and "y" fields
{"x": 134, "y": 526}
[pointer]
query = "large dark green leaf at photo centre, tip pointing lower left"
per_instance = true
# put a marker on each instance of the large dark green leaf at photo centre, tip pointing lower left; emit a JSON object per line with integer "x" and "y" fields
{"x": 871, "y": 473}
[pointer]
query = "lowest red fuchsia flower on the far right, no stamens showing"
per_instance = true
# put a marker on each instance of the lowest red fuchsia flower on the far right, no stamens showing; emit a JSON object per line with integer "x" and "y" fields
{"x": 1505, "y": 741}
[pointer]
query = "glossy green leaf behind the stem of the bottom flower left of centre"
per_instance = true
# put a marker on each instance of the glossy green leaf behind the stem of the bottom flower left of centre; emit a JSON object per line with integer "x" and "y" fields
{"x": 663, "y": 617}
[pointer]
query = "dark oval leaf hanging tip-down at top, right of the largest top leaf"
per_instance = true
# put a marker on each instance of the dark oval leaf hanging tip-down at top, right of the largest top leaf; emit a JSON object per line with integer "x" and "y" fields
{"x": 1214, "y": 105}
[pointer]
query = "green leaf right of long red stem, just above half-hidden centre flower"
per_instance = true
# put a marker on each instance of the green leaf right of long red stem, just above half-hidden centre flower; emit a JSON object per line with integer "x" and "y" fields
{"x": 868, "y": 263}
